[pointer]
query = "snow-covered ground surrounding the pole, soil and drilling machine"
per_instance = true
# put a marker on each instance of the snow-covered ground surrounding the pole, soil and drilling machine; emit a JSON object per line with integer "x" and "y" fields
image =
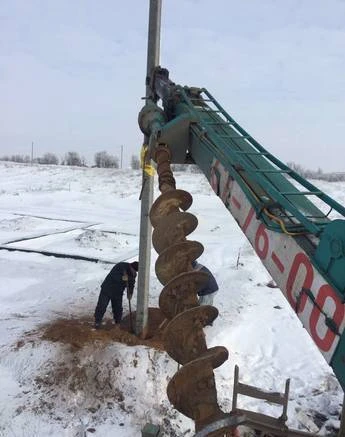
{"x": 111, "y": 389}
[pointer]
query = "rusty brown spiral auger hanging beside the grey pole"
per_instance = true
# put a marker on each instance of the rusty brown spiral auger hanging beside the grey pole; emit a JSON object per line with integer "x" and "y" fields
{"x": 192, "y": 389}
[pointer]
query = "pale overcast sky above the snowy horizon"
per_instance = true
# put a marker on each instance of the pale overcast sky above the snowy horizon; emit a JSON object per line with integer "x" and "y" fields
{"x": 72, "y": 72}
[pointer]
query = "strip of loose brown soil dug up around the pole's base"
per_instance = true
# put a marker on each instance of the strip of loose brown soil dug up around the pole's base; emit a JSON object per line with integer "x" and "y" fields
{"x": 79, "y": 332}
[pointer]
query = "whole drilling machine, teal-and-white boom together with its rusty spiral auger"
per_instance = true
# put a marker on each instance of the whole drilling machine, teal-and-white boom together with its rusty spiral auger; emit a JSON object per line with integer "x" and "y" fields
{"x": 286, "y": 220}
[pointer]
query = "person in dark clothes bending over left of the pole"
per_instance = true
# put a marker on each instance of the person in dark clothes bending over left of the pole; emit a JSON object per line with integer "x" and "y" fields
{"x": 121, "y": 276}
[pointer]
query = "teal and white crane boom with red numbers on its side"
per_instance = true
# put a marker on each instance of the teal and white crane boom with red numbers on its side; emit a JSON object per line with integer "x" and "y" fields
{"x": 301, "y": 247}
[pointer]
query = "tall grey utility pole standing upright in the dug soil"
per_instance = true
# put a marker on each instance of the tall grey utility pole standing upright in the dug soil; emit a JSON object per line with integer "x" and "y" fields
{"x": 153, "y": 47}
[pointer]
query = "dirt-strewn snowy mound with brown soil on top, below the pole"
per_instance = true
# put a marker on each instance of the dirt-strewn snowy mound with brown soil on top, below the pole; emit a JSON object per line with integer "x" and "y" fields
{"x": 93, "y": 376}
